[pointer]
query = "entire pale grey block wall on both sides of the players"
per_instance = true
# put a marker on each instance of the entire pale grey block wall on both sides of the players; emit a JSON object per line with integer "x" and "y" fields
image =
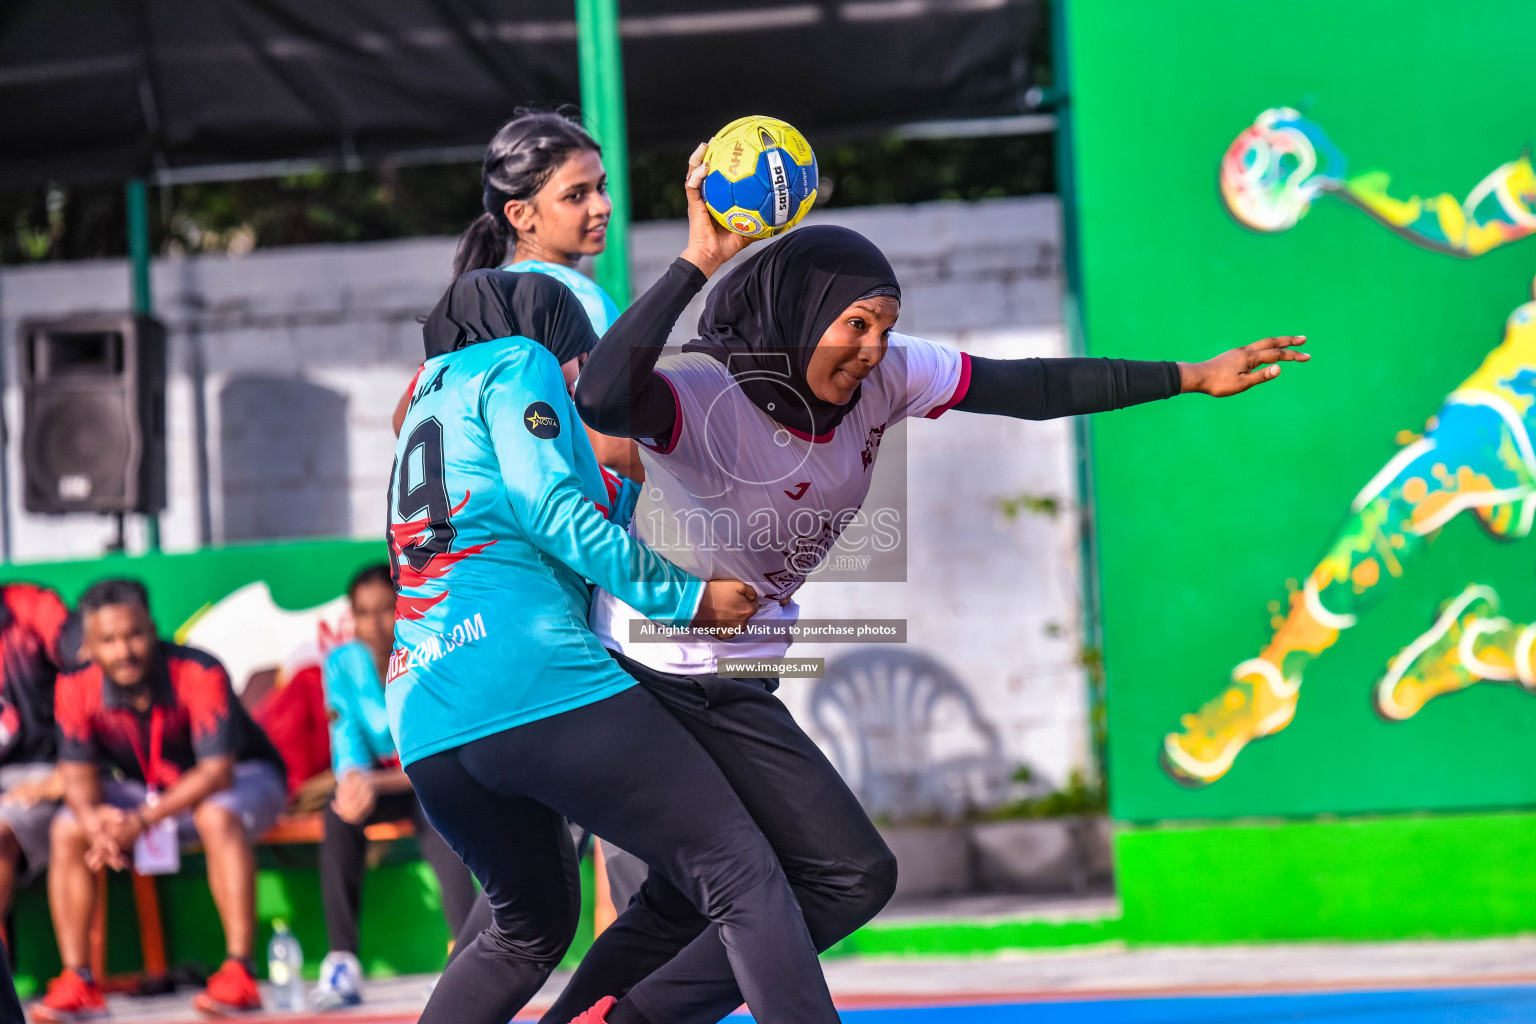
{"x": 285, "y": 366}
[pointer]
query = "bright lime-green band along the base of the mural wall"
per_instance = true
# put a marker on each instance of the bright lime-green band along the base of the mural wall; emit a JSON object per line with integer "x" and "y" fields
{"x": 1462, "y": 876}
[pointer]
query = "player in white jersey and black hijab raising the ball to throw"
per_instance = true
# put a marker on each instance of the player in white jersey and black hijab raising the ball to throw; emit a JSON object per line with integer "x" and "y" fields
{"x": 775, "y": 417}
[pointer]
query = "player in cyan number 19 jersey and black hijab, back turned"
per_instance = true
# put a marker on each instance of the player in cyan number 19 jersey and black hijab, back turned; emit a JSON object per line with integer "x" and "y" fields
{"x": 509, "y": 715}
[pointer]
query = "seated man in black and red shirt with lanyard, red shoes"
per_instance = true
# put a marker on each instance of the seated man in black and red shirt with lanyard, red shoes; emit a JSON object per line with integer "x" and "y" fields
{"x": 167, "y": 719}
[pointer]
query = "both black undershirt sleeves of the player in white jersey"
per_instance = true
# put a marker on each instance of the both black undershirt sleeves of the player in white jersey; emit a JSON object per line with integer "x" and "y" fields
{"x": 620, "y": 392}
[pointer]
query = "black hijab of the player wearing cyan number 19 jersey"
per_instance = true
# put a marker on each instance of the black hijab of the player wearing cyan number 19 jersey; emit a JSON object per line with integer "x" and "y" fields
{"x": 491, "y": 305}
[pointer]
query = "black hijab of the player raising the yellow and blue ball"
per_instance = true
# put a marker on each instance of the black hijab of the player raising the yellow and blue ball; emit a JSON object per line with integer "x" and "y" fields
{"x": 766, "y": 319}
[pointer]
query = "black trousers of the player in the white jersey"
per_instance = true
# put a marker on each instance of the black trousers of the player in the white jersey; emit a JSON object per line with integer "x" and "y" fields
{"x": 841, "y": 870}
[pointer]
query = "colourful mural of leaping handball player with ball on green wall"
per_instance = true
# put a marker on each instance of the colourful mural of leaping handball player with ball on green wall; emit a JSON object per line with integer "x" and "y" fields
{"x": 1475, "y": 455}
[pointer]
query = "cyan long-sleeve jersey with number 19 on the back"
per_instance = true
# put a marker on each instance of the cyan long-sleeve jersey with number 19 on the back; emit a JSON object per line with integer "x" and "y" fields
{"x": 497, "y": 530}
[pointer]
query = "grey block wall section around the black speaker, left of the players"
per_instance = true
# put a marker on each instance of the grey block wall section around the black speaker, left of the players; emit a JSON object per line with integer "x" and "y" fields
{"x": 279, "y": 365}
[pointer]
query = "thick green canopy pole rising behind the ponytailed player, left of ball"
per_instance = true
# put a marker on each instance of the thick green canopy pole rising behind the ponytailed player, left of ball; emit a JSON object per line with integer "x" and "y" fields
{"x": 603, "y": 110}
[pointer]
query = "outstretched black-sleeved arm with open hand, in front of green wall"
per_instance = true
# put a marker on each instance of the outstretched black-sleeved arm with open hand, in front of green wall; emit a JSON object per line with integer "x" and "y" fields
{"x": 1048, "y": 389}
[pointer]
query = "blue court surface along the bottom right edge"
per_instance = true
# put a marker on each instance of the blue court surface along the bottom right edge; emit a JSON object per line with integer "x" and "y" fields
{"x": 1417, "y": 1006}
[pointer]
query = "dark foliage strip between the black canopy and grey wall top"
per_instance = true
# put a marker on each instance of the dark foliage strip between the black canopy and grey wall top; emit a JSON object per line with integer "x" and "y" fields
{"x": 55, "y": 222}
